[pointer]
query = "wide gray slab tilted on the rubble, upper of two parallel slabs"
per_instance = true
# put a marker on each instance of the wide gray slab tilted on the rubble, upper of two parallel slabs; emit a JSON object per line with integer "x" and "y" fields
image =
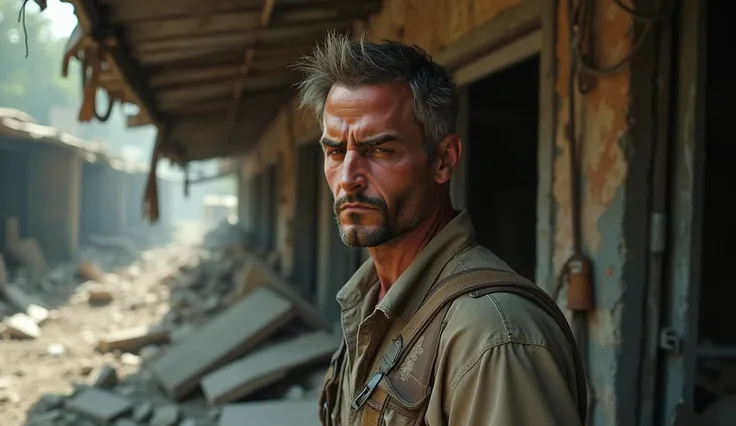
{"x": 224, "y": 338}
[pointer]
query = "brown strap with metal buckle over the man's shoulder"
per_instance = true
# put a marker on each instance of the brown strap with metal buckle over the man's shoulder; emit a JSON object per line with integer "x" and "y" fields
{"x": 372, "y": 399}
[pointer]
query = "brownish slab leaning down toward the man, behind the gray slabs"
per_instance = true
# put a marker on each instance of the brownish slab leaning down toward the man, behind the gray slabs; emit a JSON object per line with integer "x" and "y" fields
{"x": 257, "y": 273}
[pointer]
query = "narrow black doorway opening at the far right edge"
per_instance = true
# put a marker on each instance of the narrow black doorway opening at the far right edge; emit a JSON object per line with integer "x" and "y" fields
{"x": 716, "y": 354}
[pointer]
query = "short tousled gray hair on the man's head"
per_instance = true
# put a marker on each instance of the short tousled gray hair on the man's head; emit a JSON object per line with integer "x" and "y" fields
{"x": 342, "y": 61}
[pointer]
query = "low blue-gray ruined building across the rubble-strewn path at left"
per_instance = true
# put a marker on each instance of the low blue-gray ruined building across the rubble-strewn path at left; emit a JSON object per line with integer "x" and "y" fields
{"x": 61, "y": 191}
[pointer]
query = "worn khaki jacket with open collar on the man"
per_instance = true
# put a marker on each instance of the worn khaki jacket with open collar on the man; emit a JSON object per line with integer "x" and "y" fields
{"x": 501, "y": 360}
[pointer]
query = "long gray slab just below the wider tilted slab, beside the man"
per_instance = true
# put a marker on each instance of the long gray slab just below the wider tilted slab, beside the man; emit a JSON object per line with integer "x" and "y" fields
{"x": 266, "y": 366}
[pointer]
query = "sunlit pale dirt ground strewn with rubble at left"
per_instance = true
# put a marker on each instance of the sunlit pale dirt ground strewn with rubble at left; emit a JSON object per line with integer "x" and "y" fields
{"x": 65, "y": 352}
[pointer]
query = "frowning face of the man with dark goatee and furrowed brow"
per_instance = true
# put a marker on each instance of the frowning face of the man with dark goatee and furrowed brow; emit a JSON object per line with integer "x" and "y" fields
{"x": 375, "y": 163}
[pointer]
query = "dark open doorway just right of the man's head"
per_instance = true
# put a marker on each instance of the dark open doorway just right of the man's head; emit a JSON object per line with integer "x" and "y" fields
{"x": 502, "y": 162}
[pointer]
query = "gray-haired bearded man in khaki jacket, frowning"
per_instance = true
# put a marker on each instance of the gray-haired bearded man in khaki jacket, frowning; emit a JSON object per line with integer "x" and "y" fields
{"x": 388, "y": 118}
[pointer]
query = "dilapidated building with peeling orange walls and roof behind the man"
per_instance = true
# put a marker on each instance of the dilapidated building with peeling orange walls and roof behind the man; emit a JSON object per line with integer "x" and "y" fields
{"x": 593, "y": 150}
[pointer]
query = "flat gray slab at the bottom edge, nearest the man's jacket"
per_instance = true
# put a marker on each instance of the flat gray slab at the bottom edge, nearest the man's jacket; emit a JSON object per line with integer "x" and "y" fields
{"x": 271, "y": 413}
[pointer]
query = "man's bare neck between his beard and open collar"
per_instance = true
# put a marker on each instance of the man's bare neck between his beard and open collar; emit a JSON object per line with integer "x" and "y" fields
{"x": 392, "y": 259}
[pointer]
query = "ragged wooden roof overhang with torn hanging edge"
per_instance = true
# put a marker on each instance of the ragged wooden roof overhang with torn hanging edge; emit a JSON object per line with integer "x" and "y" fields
{"x": 210, "y": 75}
